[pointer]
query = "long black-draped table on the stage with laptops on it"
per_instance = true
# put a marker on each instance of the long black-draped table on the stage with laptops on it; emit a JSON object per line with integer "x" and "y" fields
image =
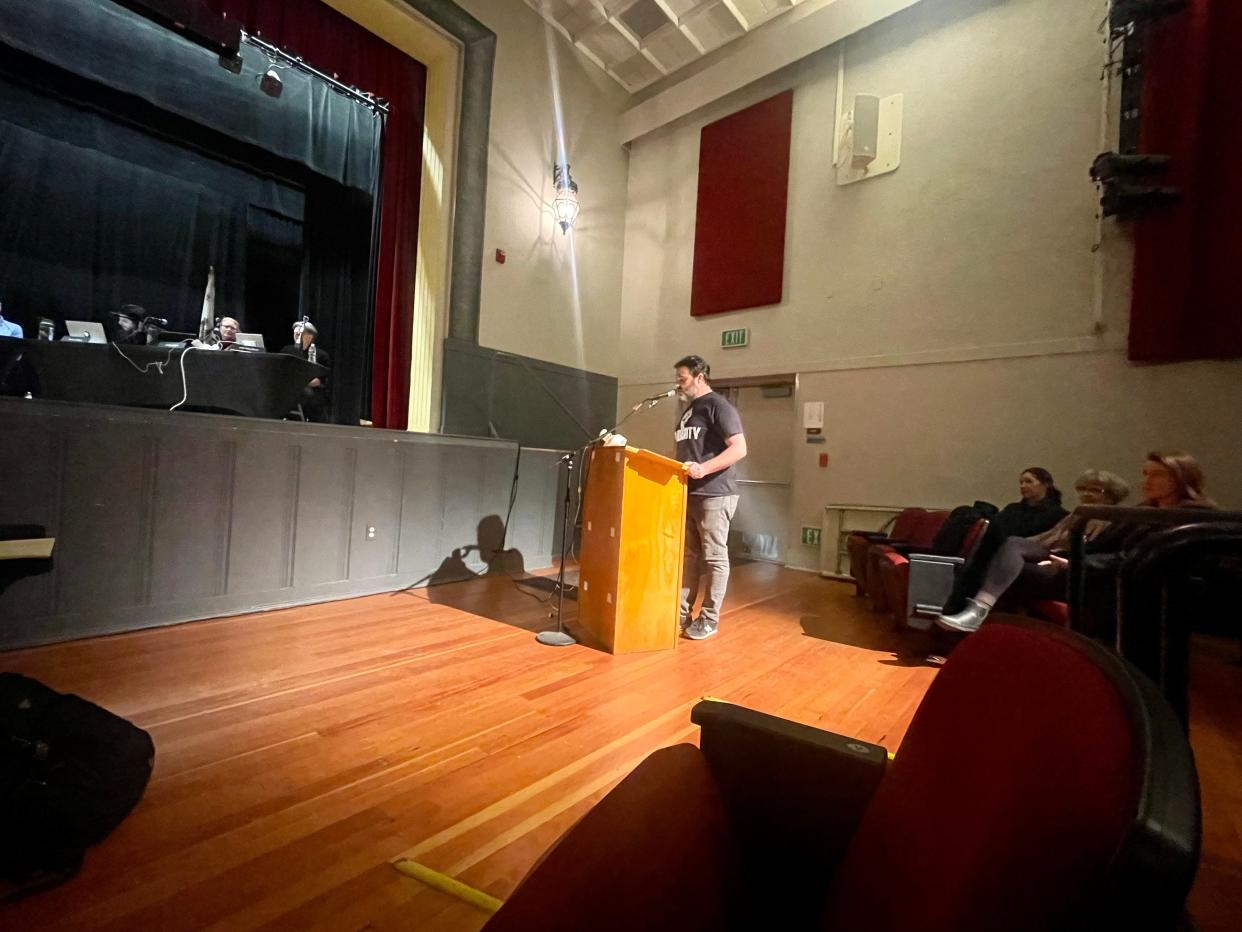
{"x": 250, "y": 385}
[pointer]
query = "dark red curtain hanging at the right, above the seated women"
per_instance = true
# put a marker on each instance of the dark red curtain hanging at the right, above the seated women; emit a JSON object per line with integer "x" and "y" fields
{"x": 1188, "y": 263}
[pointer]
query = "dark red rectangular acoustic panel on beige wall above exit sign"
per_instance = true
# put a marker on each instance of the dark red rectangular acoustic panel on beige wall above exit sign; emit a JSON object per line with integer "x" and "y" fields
{"x": 740, "y": 231}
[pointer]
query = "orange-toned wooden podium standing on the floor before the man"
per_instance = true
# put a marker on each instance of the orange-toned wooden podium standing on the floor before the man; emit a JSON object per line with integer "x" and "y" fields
{"x": 634, "y": 529}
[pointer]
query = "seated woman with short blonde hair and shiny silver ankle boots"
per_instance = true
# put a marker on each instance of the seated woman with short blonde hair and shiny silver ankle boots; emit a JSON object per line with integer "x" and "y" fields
{"x": 1030, "y": 556}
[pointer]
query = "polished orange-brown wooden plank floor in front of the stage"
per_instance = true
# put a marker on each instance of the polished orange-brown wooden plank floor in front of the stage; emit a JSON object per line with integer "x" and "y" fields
{"x": 300, "y": 751}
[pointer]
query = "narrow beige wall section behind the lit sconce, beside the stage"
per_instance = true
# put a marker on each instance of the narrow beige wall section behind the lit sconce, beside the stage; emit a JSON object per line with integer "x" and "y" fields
{"x": 533, "y": 305}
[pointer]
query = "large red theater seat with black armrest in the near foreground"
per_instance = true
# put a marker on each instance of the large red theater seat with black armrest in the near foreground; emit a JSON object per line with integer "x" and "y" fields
{"x": 1044, "y": 785}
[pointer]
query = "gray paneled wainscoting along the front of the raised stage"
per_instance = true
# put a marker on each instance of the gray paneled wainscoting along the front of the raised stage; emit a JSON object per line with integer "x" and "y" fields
{"x": 166, "y": 518}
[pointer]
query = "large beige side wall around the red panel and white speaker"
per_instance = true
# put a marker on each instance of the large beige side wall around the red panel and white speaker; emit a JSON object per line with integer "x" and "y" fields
{"x": 947, "y": 314}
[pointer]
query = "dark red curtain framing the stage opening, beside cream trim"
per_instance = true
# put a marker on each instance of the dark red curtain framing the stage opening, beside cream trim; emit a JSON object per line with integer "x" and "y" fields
{"x": 337, "y": 45}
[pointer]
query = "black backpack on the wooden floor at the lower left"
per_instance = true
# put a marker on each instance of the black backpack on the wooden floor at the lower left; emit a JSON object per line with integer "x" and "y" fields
{"x": 70, "y": 774}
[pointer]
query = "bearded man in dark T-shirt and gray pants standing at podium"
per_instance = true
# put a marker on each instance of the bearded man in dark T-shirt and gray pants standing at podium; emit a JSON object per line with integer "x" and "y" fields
{"x": 710, "y": 441}
